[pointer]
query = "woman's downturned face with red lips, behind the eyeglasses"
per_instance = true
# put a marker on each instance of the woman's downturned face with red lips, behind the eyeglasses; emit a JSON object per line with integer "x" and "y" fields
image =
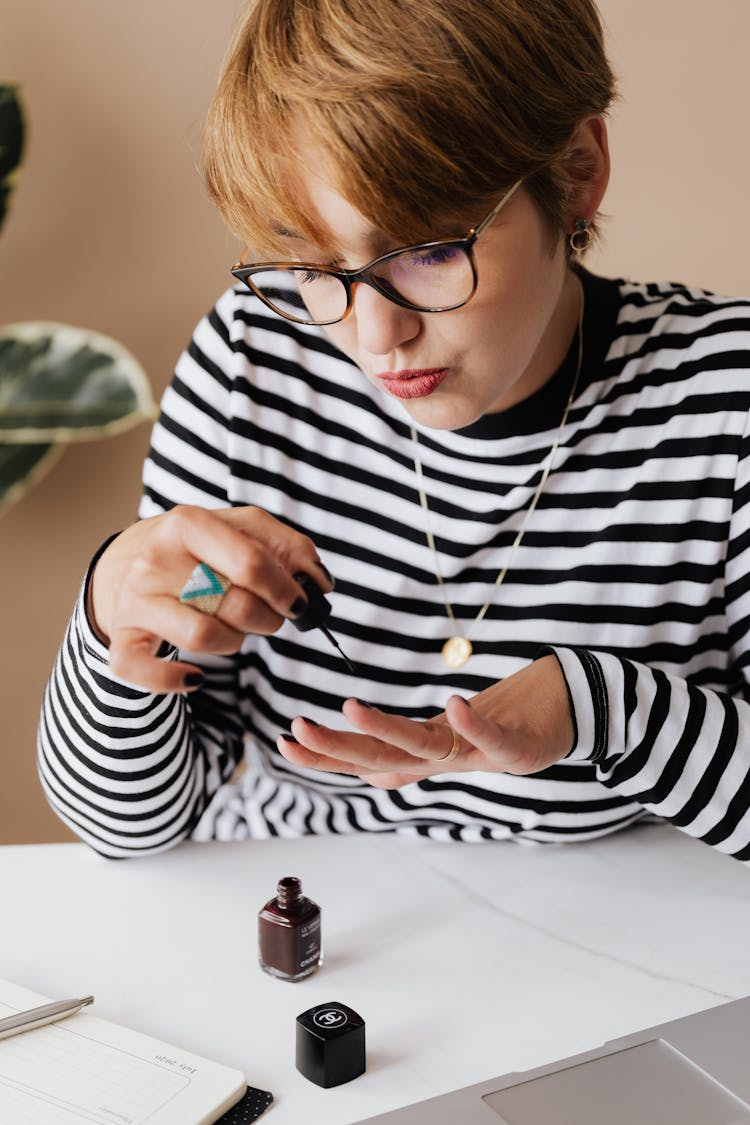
{"x": 448, "y": 370}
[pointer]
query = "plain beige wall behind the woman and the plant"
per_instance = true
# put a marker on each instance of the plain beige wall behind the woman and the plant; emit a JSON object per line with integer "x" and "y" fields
{"x": 111, "y": 230}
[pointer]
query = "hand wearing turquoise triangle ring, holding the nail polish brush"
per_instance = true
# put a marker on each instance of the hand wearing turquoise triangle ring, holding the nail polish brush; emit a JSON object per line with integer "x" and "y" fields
{"x": 134, "y": 593}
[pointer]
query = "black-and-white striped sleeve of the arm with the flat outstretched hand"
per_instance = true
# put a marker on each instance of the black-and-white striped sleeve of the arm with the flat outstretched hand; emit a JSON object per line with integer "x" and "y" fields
{"x": 679, "y": 750}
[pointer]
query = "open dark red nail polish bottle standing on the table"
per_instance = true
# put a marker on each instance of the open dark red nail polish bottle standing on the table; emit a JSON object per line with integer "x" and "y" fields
{"x": 290, "y": 933}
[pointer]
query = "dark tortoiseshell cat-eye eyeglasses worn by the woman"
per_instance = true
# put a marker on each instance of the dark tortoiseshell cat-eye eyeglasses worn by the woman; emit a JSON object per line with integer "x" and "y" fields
{"x": 433, "y": 277}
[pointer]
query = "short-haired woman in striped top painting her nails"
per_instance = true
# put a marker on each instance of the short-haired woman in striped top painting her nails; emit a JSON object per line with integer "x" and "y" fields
{"x": 530, "y": 483}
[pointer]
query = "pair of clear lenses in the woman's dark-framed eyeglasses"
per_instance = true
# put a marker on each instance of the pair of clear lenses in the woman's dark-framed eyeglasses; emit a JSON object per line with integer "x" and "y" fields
{"x": 429, "y": 278}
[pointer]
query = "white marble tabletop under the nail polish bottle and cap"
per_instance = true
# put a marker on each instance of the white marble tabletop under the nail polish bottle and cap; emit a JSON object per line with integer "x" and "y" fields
{"x": 466, "y": 961}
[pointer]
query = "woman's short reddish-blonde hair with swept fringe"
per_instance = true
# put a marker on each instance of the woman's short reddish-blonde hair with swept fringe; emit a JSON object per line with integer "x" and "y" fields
{"x": 424, "y": 109}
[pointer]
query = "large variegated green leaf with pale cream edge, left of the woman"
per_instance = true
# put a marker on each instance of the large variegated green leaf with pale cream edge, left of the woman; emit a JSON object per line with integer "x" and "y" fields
{"x": 59, "y": 383}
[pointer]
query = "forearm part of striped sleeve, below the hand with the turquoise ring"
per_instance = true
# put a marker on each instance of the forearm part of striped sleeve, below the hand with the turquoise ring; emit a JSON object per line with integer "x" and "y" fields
{"x": 129, "y": 772}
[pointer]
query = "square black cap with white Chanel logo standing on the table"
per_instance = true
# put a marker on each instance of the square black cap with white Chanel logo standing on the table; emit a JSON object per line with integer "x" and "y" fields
{"x": 330, "y": 1045}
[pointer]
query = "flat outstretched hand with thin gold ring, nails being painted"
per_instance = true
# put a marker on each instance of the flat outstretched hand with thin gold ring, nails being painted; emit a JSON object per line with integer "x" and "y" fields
{"x": 519, "y": 726}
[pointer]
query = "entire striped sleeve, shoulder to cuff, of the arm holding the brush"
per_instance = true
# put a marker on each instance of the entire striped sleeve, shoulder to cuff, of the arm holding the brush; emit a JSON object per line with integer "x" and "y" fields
{"x": 133, "y": 773}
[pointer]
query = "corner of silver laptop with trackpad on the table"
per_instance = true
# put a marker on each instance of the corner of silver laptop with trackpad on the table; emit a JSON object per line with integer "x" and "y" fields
{"x": 691, "y": 1072}
